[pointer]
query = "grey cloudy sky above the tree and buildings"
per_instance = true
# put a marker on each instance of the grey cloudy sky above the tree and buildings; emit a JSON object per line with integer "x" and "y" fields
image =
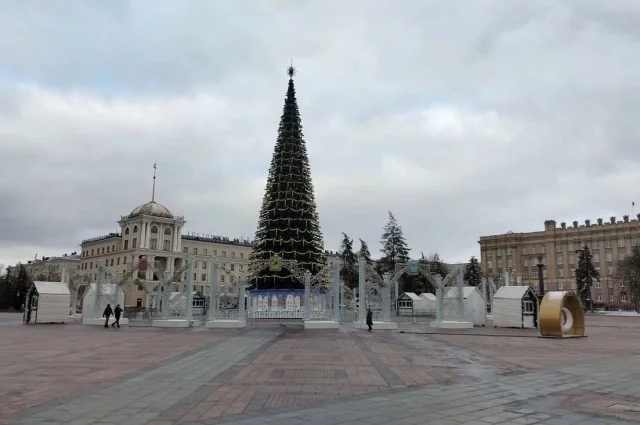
{"x": 464, "y": 118}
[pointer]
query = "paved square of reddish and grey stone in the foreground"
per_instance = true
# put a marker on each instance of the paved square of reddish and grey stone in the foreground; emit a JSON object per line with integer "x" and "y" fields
{"x": 76, "y": 374}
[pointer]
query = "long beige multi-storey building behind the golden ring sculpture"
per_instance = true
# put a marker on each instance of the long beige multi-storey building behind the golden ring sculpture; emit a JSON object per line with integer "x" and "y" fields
{"x": 555, "y": 247}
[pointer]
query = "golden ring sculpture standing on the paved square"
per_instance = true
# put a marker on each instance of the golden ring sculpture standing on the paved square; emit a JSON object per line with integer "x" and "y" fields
{"x": 561, "y": 315}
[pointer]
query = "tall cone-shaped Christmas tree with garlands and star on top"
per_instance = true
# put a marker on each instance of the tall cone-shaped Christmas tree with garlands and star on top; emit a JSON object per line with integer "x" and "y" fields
{"x": 288, "y": 226}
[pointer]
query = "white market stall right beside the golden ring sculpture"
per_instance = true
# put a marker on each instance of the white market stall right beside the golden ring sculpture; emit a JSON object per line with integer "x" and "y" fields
{"x": 516, "y": 307}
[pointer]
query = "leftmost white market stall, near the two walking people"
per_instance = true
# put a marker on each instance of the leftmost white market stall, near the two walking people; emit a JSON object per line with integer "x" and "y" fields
{"x": 47, "y": 302}
